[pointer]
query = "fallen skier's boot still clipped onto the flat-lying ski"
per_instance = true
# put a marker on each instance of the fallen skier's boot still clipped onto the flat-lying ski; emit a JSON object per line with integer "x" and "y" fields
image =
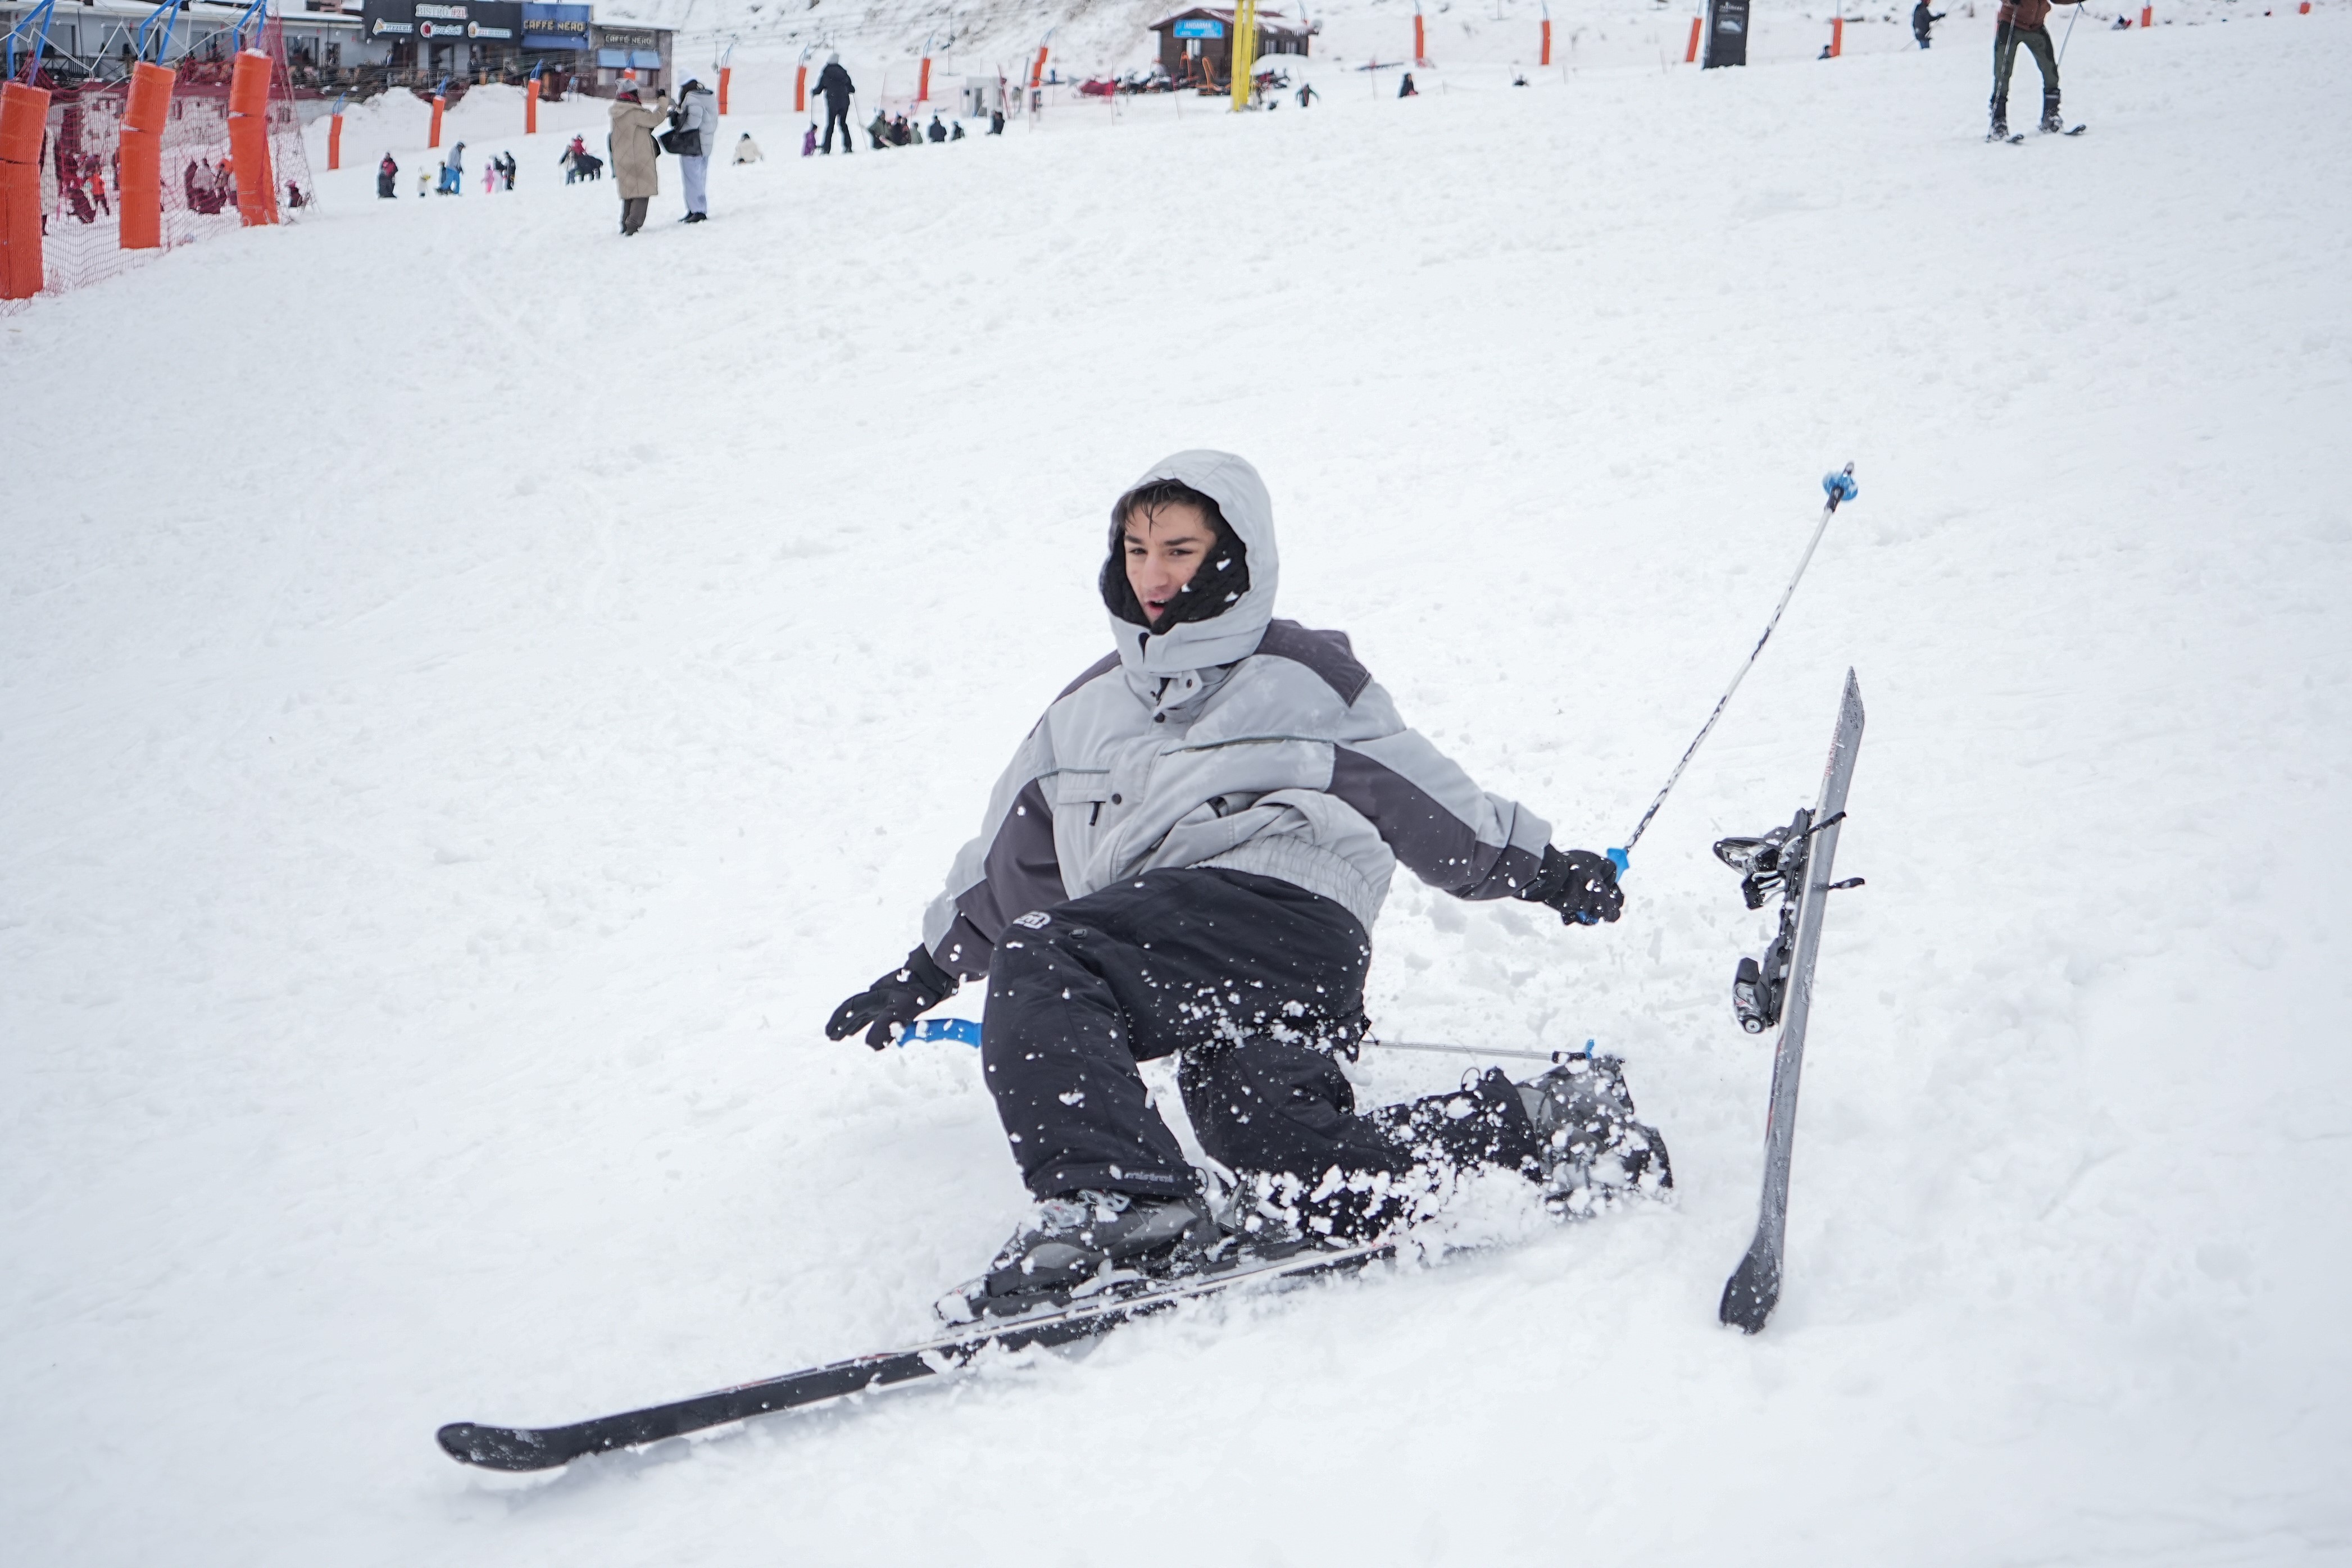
{"x": 1081, "y": 1242}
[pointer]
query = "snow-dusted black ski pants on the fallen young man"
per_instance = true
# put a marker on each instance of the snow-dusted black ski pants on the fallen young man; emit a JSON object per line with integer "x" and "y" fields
{"x": 1257, "y": 984}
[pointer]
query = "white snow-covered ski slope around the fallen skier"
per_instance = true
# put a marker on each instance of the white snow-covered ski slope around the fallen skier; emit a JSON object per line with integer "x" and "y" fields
{"x": 476, "y": 692}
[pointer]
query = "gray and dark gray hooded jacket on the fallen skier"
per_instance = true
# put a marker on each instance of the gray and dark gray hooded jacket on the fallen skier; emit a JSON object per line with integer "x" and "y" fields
{"x": 1236, "y": 742}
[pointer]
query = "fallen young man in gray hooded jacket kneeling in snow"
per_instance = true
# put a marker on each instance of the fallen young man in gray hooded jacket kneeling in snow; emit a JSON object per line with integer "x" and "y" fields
{"x": 1187, "y": 859}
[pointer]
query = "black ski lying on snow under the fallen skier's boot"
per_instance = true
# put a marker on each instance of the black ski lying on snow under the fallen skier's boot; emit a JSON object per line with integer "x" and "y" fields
{"x": 1083, "y": 1320}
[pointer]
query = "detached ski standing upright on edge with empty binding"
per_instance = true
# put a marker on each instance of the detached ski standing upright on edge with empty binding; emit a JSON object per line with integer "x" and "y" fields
{"x": 1796, "y": 859}
